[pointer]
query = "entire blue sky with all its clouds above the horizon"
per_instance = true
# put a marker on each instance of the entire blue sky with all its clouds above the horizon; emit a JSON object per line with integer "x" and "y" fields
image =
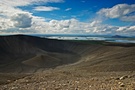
{"x": 67, "y": 17}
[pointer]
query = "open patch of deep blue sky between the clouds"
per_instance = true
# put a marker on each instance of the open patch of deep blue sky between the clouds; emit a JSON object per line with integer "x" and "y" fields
{"x": 84, "y": 10}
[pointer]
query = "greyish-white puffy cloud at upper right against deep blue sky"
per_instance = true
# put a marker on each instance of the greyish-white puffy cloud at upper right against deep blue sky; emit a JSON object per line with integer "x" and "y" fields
{"x": 121, "y": 11}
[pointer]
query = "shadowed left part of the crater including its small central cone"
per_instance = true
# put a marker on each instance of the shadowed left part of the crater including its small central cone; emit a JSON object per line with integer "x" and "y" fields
{"x": 29, "y": 53}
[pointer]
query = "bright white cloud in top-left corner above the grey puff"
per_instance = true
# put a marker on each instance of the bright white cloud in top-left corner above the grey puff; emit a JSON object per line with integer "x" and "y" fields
{"x": 10, "y": 7}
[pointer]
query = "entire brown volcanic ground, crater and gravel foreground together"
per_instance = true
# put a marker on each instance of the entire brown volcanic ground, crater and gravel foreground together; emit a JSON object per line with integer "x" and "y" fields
{"x": 61, "y": 64}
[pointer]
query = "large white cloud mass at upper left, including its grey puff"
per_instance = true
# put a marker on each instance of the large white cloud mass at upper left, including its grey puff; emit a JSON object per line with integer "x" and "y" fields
{"x": 11, "y": 17}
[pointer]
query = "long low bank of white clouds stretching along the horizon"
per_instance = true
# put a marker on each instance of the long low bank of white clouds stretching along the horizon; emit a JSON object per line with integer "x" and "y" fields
{"x": 39, "y": 25}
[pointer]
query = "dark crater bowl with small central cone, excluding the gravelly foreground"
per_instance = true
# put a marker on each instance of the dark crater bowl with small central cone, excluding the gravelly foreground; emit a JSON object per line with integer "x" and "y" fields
{"x": 20, "y": 53}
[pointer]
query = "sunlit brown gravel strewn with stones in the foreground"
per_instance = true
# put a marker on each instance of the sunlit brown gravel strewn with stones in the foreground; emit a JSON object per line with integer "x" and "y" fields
{"x": 73, "y": 80}
